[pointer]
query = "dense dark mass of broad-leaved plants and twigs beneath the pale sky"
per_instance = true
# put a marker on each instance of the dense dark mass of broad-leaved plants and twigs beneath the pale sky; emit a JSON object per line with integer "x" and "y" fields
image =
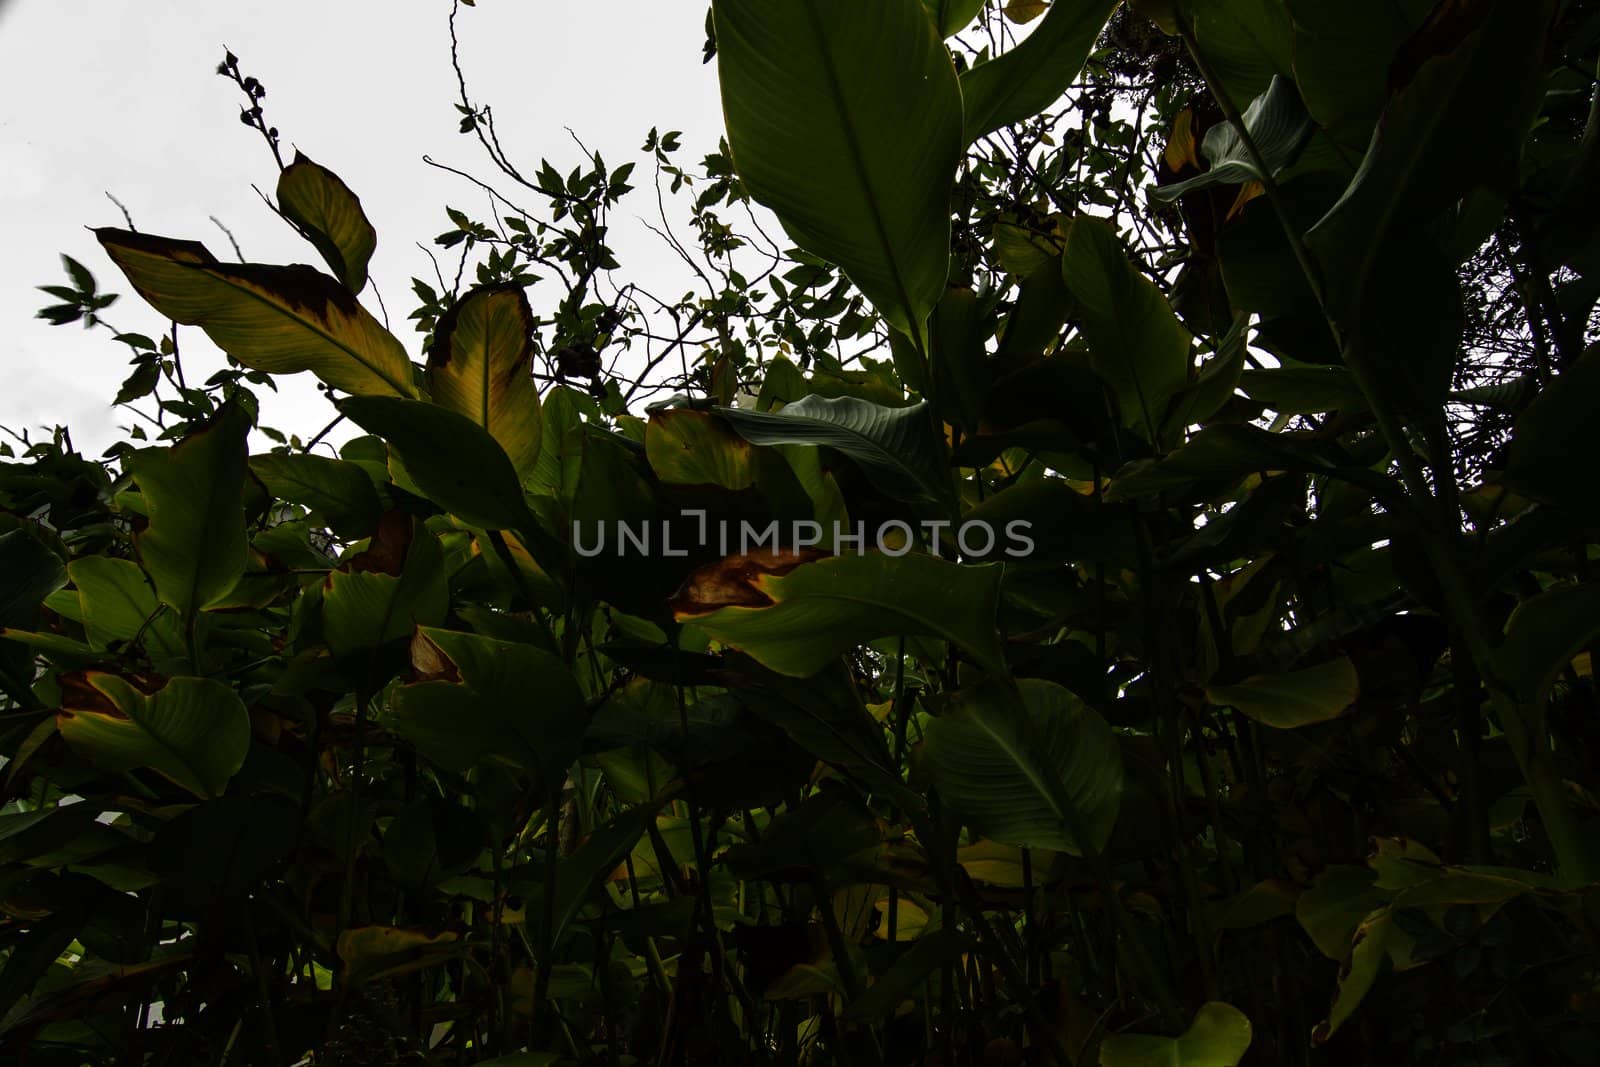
{"x": 1266, "y": 321}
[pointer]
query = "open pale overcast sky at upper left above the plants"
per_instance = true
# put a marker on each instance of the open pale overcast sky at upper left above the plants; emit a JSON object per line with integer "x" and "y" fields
{"x": 122, "y": 97}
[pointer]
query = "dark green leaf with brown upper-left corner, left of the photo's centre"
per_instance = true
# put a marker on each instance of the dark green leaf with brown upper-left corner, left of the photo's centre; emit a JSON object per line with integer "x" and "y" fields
{"x": 487, "y": 700}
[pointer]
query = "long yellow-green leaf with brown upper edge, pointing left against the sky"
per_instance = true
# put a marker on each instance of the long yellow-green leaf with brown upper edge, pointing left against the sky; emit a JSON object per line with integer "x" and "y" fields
{"x": 270, "y": 319}
